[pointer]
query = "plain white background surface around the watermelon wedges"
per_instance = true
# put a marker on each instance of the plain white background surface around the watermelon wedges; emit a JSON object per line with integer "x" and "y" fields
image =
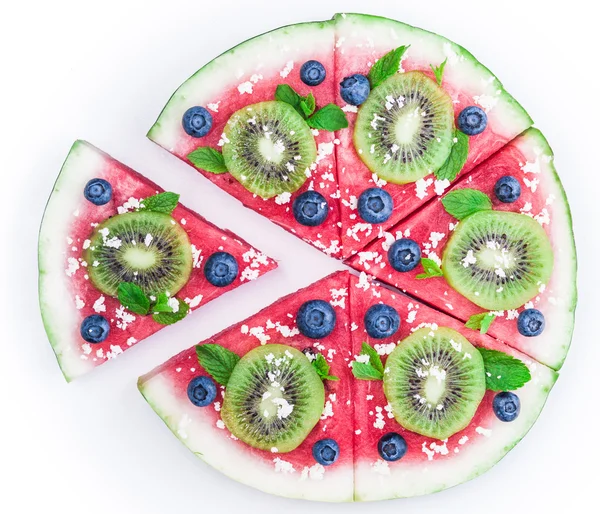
{"x": 102, "y": 71}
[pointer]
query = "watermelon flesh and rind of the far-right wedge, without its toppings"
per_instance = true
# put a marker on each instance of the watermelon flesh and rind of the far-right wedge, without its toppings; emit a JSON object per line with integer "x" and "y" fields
{"x": 529, "y": 159}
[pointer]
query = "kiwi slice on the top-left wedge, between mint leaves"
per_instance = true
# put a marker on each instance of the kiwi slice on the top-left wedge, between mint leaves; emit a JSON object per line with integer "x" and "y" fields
{"x": 268, "y": 148}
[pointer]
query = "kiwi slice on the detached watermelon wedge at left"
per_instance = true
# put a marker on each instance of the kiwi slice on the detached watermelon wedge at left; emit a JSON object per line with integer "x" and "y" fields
{"x": 145, "y": 247}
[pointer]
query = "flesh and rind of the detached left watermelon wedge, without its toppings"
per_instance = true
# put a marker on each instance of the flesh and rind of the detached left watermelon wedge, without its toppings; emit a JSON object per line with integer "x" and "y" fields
{"x": 66, "y": 294}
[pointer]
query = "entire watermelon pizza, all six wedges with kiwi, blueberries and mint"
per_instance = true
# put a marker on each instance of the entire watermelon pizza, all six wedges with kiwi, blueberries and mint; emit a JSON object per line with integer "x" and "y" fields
{"x": 385, "y": 146}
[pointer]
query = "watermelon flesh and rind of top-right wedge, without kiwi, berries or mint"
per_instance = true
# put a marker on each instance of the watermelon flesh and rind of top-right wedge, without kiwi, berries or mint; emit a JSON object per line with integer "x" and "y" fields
{"x": 360, "y": 41}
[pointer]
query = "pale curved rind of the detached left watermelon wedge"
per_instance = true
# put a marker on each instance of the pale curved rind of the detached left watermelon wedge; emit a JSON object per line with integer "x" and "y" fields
{"x": 54, "y": 296}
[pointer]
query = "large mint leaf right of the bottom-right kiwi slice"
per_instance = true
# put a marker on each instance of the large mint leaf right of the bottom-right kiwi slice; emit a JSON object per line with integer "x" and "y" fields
{"x": 503, "y": 372}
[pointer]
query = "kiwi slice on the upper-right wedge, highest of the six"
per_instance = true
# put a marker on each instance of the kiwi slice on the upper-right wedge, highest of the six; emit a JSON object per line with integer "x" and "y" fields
{"x": 405, "y": 128}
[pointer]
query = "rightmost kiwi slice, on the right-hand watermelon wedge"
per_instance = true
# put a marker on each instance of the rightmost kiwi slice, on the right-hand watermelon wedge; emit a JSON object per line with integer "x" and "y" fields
{"x": 498, "y": 260}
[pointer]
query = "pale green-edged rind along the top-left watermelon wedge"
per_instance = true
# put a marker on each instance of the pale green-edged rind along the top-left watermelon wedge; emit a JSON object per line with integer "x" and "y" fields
{"x": 244, "y": 52}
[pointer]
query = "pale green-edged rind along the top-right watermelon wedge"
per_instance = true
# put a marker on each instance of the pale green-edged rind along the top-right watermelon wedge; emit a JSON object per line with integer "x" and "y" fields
{"x": 515, "y": 113}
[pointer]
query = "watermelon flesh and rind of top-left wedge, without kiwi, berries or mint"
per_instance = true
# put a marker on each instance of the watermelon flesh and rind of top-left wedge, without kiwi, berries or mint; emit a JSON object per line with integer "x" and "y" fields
{"x": 247, "y": 74}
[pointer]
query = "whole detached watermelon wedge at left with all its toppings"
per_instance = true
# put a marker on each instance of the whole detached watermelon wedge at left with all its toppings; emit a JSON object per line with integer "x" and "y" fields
{"x": 120, "y": 259}
